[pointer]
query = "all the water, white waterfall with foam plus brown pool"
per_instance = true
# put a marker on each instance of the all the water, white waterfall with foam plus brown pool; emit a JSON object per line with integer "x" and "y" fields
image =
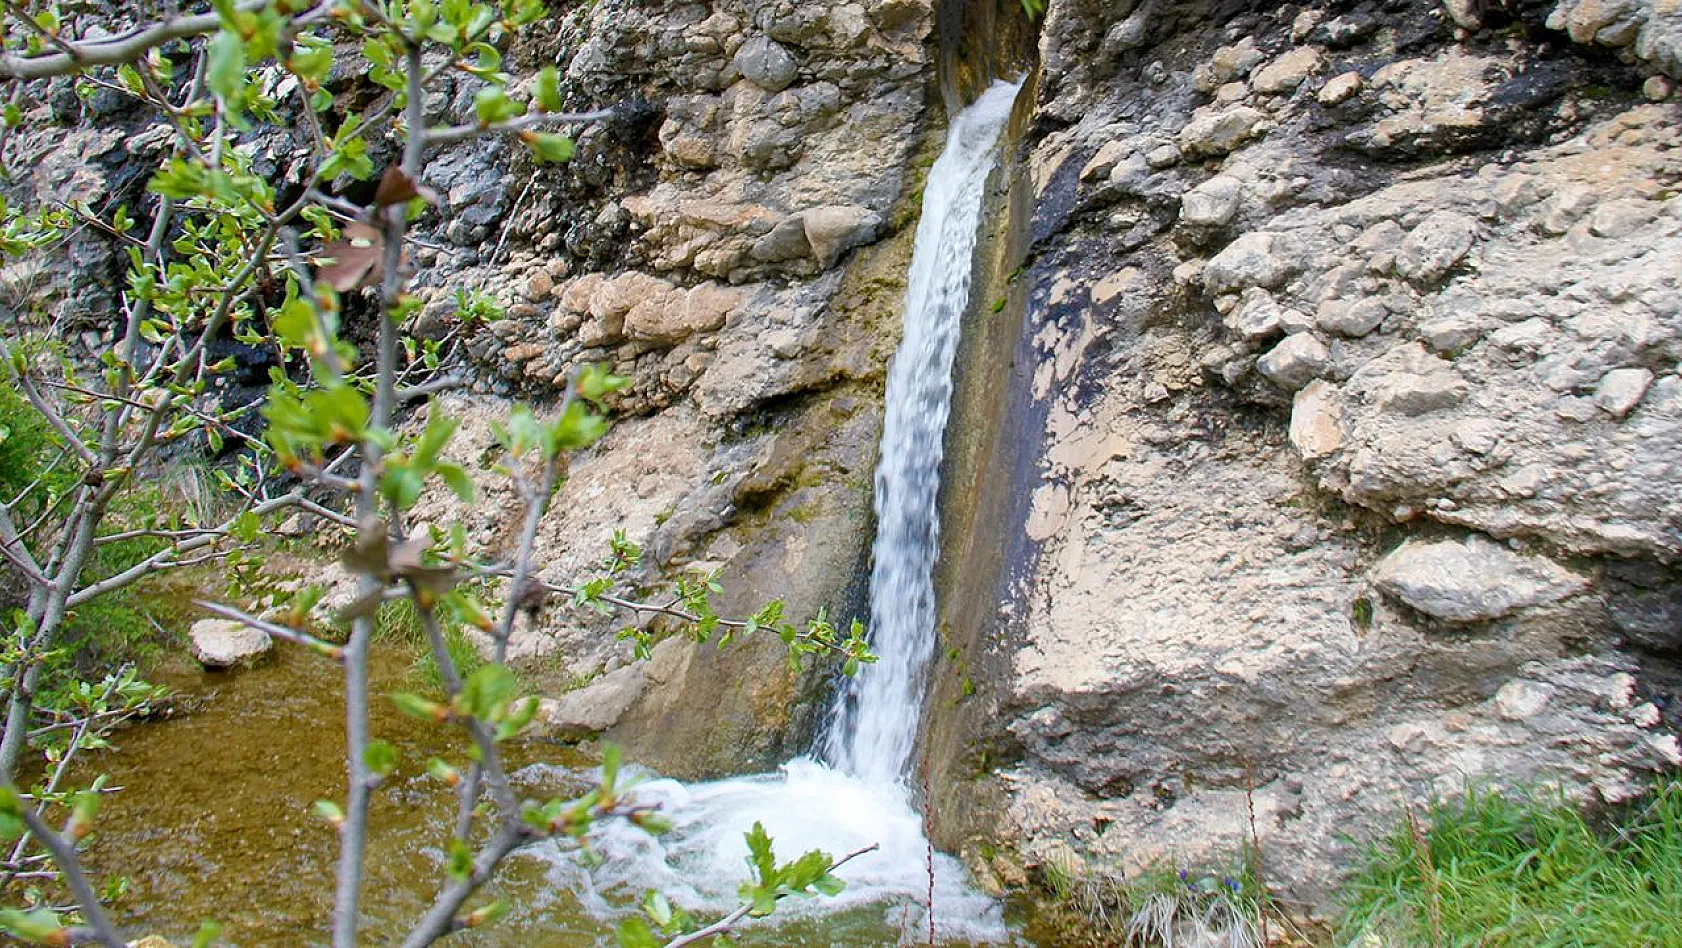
{"x": 203, "y": 838}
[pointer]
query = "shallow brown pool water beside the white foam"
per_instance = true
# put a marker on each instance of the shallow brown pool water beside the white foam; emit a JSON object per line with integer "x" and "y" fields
{"x": 214, "y": 819}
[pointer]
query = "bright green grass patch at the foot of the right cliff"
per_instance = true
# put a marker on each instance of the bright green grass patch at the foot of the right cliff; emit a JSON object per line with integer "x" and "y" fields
{"x": 1526, "y": 870}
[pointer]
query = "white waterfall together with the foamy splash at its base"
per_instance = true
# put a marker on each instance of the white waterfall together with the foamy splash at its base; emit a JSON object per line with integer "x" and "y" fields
{"x": 862, "y": 796}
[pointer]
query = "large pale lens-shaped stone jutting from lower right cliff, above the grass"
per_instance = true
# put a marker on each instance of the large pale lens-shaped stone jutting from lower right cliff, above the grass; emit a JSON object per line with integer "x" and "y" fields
{"x": 1473, "y": 582}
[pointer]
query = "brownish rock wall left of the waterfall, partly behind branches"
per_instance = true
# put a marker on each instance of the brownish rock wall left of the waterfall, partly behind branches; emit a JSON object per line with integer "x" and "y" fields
{"x": 734, "y": 241}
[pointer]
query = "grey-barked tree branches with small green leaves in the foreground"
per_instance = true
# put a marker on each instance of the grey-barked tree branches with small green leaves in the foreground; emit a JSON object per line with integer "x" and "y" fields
{"x": 225, "y": 256}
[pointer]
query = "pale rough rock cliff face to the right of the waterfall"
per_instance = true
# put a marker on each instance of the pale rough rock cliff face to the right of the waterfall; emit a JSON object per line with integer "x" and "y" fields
{"x": 1350, "y": 413}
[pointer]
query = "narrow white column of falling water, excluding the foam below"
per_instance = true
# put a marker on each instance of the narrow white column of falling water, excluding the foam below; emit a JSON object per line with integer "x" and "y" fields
{"x": 877, "y": 727}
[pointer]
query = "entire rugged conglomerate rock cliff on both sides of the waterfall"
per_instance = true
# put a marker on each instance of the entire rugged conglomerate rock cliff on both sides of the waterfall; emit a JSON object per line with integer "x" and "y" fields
{"x": 1320, "y": 426}
